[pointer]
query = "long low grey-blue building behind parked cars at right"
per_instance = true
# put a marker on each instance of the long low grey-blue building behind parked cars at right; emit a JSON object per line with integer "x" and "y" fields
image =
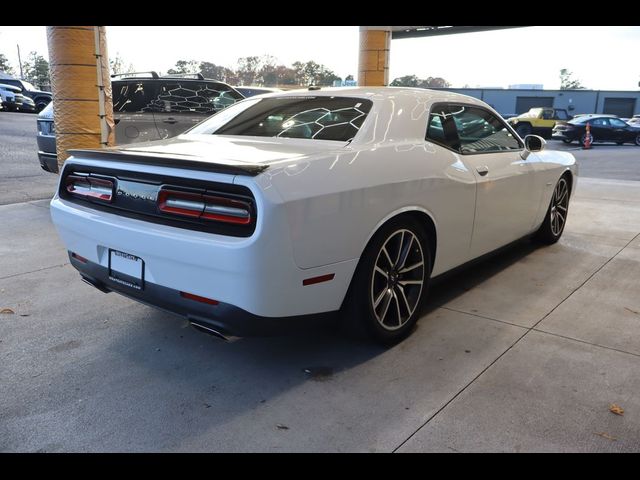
{"x": 624, "y": 104}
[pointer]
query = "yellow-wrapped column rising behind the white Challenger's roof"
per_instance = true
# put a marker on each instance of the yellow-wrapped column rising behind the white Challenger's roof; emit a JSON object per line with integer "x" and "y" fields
{"x": 373, "y": 62}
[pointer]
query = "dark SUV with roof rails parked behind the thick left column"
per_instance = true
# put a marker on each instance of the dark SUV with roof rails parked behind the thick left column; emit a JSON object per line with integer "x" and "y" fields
{"x": 147, "y": 107}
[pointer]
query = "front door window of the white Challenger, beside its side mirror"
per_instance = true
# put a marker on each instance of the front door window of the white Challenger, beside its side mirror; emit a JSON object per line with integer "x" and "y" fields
{"x": 481, "y": 131}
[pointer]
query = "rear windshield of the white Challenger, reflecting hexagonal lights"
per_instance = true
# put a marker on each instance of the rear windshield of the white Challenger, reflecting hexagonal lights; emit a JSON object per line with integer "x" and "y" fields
{"x": 319, "y": 118}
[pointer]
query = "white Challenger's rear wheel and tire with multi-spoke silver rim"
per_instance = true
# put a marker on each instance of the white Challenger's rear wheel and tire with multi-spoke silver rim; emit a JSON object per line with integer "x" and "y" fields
{"x": 379, "y": 304}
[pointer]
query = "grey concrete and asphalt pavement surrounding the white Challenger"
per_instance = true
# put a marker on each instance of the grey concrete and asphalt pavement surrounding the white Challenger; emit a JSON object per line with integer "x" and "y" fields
{"x": 524, "y": 351}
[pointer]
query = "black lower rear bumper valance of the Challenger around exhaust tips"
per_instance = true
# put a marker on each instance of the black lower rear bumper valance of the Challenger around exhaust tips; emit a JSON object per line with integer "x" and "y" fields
{"x": 229, "y": 320}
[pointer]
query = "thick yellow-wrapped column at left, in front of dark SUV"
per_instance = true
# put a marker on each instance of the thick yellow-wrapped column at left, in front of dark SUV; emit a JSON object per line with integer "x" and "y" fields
{"x": 81, "y": 87}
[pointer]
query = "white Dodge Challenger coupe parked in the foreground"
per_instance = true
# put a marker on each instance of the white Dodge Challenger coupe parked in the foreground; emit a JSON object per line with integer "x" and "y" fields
{"x": 285, "y": 207}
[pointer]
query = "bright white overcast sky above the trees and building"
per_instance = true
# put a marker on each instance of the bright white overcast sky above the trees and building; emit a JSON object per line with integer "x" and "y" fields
{"x": 600, "y": 57}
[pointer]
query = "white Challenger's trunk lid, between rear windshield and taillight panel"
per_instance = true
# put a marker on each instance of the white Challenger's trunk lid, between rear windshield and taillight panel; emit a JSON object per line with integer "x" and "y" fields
{"x": 223, "y": 153}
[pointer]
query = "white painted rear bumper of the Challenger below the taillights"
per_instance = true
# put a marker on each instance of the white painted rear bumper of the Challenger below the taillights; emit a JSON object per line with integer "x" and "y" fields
{"x": 255, "y": 274}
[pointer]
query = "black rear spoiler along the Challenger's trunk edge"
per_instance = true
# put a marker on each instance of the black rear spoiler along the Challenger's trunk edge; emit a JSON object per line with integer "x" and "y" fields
{"x": 172, "y": 160}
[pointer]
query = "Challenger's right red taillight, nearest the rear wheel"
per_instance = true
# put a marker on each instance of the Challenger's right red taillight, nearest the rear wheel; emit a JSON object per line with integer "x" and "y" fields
{"x": 204, "y": 206}
